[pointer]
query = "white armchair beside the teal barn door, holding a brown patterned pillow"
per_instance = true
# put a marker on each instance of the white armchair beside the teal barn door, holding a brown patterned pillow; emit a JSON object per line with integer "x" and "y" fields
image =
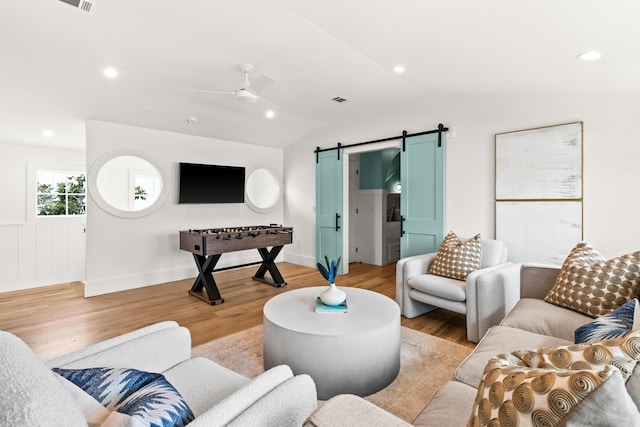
{"x": 481, "y": 297}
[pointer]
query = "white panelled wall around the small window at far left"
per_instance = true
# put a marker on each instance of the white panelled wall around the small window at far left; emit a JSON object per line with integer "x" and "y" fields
{"x": 36, "y": 252}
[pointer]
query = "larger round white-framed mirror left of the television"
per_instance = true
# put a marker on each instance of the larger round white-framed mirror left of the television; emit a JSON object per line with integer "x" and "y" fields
{"x": 126, "y": 185}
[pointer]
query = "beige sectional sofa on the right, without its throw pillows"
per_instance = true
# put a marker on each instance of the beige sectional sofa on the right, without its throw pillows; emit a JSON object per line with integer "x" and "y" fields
{"x": 531, "y": 324}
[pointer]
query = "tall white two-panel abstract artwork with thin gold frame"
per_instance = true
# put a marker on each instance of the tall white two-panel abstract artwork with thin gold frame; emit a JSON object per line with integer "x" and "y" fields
{"x": 539, "y": 192}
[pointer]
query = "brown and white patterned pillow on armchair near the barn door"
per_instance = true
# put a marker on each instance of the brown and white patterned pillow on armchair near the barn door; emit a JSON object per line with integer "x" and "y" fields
{"x": 456, "y": 259}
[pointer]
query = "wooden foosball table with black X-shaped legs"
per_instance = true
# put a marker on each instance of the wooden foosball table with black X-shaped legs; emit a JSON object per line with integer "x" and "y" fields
{"x": 208, "y": 245}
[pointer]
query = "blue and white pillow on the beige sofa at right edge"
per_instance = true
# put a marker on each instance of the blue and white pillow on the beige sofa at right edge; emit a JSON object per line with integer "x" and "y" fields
{"x": 615, "y": 324}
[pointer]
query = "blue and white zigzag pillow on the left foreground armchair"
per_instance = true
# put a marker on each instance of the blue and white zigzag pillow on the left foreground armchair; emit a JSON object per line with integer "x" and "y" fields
{"x": 145, "y": 396}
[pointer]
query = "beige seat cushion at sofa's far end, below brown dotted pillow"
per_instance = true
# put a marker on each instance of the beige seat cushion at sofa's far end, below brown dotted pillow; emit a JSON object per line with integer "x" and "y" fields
{"x": 535, "y": 315}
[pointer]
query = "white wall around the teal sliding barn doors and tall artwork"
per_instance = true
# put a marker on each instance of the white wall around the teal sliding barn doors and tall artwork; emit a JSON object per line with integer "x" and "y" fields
{"x": 611, "y": 153}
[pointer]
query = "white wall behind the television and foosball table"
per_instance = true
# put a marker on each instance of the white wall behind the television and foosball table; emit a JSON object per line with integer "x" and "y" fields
{"x": 130, "y": 253}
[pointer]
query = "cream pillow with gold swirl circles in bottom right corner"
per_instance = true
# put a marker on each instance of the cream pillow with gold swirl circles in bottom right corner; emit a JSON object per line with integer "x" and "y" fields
{"x": 541, "y": 387}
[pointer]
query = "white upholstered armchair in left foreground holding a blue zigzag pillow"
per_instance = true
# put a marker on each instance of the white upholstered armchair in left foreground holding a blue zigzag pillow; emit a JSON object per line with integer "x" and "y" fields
{"x": 32, "y": 395}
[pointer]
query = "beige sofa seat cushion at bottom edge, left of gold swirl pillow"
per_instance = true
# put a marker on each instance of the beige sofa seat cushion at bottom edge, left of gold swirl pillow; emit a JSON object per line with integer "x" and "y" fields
{"x": 450, "y": 406}
